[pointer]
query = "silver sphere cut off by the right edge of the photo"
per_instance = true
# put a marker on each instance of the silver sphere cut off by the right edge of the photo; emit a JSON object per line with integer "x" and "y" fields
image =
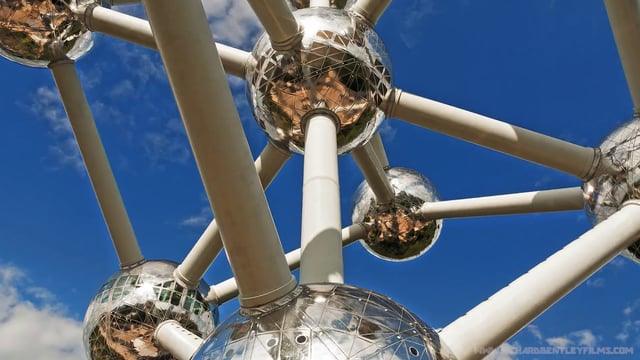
{"x": 606, "y": 193}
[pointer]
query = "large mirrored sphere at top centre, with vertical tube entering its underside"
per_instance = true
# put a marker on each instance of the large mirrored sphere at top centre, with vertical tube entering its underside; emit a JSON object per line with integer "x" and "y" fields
{"x": 340, "y": 66}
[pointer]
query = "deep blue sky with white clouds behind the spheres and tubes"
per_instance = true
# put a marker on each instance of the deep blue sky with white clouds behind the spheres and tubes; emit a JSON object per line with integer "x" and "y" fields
{"x": 549, "y": 66}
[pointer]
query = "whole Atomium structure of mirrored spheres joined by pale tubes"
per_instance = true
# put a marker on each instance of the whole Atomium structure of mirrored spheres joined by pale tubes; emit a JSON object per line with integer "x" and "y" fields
{"x": 319, "y": 84}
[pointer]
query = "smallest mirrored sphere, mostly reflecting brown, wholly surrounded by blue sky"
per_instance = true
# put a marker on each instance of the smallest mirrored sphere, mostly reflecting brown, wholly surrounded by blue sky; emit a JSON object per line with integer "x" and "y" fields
{"x": 396, "y": 231}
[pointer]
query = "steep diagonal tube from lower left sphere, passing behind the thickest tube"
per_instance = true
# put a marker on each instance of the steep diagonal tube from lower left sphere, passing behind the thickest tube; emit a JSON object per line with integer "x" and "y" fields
{"x": 209, "y": 245}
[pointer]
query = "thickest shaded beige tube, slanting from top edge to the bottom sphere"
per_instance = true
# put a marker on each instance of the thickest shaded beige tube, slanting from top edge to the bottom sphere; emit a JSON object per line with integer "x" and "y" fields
{"x": 221, "y": 150}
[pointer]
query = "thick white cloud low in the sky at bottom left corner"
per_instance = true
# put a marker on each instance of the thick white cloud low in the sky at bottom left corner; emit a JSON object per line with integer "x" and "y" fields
{"x": 30, "y": 331}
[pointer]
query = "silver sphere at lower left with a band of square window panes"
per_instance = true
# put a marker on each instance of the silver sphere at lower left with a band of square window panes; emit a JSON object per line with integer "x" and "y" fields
{"x": 123, "y": 315}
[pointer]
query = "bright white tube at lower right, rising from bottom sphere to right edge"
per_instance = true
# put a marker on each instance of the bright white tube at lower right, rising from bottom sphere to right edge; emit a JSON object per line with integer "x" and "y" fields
{"x": 494, "y": 321}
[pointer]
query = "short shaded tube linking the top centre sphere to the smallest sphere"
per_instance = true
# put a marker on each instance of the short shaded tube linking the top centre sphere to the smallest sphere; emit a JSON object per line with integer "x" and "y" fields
{"x": 374, "y": 173}
